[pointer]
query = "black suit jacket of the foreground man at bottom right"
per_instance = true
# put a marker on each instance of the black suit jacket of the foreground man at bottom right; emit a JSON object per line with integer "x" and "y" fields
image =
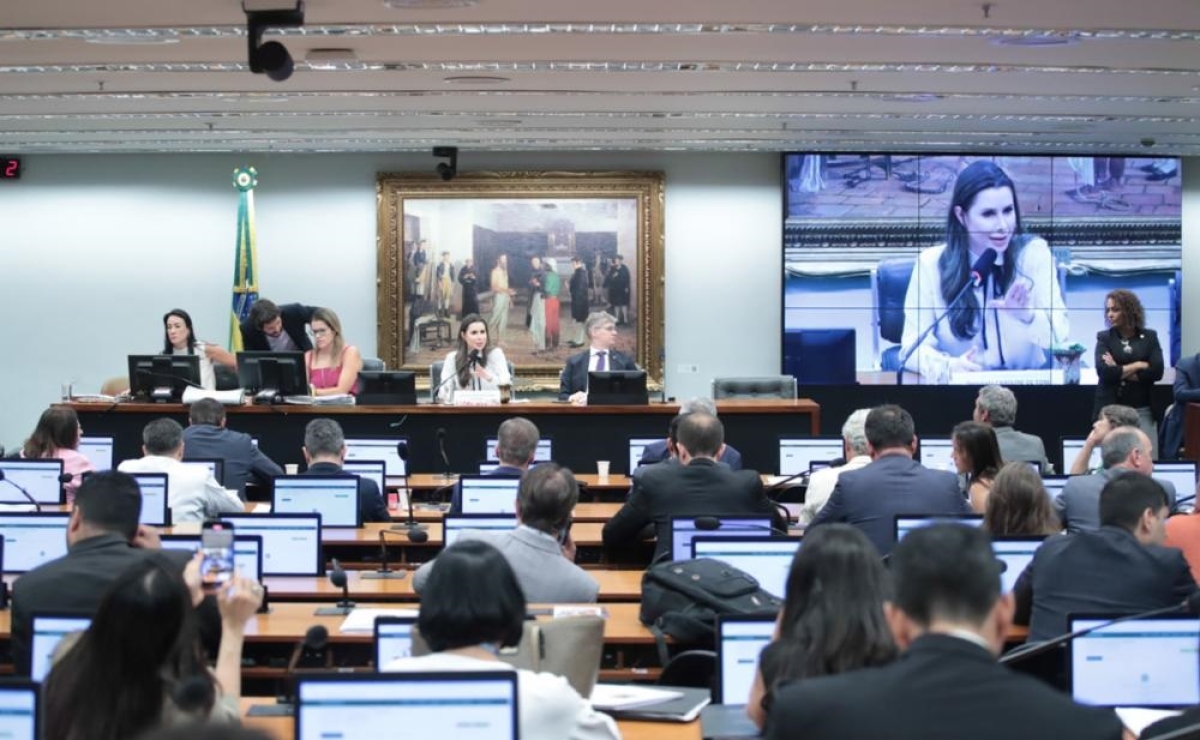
{"x": 943, "y": 688}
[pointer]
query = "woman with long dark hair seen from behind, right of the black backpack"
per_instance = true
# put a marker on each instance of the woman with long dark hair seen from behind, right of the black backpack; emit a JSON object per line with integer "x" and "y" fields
{"x": 826, "y": 629}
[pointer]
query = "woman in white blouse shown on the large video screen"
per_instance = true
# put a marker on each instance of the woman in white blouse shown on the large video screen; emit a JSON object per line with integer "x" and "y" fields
{"x": 1016, "y": 314}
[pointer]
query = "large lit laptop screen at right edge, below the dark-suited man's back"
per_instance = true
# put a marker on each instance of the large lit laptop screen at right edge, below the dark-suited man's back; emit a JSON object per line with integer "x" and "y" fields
{"x": 1142, "y": 663}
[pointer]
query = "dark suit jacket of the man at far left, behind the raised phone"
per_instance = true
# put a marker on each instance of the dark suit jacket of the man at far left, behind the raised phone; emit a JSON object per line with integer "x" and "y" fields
{"x": 75, "y": 582}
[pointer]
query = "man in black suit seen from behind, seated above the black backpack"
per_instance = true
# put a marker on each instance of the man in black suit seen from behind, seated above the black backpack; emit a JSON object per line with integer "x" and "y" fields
{"x": 698, "y": 486}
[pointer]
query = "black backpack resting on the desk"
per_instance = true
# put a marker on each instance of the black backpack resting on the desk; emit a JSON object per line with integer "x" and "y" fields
{"x": 682, "y": 599}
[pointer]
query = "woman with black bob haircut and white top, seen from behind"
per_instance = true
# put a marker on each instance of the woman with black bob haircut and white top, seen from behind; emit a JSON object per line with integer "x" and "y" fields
{"x": 471, "y": 609}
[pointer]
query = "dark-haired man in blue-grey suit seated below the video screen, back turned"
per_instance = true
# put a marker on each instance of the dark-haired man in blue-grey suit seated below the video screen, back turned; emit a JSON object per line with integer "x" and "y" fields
{"x": 893, "y": 484}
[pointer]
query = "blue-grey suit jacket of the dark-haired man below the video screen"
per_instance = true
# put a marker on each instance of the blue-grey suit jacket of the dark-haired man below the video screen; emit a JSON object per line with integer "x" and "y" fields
{"x": 872, "y": 497}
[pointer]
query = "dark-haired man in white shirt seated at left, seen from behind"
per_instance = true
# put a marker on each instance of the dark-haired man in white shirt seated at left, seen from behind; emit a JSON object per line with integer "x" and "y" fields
{"x": 194, "y": 494}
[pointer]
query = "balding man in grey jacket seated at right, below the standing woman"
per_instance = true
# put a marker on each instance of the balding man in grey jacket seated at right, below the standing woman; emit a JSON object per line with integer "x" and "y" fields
{"x": 1126, "y": 452}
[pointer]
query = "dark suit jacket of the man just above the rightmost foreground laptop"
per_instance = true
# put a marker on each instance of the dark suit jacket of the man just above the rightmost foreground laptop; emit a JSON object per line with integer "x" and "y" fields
{"x": 1107, "y": 571}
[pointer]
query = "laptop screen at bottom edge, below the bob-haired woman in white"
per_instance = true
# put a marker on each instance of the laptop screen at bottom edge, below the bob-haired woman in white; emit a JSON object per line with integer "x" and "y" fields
{"x": 466, "y": 706}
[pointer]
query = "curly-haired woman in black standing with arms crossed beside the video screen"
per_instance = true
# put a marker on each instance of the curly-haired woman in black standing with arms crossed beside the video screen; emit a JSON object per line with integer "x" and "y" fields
{"x": 1129, "y": 360}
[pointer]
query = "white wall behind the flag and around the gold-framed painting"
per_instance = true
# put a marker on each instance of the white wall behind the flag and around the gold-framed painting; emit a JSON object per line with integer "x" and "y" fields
{"x": 94, "y": 250}
